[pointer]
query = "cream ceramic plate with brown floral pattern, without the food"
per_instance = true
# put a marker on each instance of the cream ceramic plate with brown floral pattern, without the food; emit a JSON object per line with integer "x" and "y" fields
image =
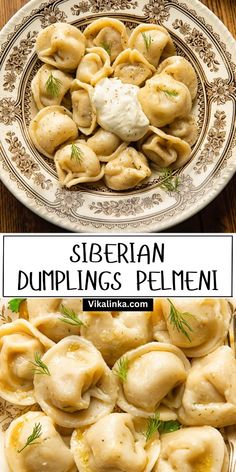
{"x": 201, "y": 38}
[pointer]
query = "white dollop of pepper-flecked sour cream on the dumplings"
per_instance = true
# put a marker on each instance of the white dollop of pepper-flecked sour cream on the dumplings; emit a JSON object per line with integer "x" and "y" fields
{"x": 118, "y": 109}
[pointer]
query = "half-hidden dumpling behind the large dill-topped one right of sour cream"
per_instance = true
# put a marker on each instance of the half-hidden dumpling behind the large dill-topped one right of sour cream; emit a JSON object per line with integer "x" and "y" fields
{"x": 180, "y": 69}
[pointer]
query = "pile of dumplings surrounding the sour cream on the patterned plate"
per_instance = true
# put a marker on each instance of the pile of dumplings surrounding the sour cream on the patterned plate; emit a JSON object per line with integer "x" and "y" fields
{"x": 67, "y": 127}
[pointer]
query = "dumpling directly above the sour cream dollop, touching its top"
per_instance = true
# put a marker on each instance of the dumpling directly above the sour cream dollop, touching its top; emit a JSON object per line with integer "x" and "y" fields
{"x": 131, "y": 67}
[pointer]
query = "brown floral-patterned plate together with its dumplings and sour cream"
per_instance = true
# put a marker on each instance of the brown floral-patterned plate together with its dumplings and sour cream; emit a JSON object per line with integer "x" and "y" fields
{"x": 116, "y": 116}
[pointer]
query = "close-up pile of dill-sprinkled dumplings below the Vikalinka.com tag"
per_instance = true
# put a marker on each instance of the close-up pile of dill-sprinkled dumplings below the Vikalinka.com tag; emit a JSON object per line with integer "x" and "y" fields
{"x": 101, "y": 381}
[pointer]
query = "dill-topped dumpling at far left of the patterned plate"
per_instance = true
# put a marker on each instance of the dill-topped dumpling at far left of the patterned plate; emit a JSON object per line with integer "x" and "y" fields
{"x": 49, "y": 86}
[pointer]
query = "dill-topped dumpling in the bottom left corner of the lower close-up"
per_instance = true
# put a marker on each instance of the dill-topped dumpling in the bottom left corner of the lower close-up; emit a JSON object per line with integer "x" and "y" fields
{"x": 46, "y": 453}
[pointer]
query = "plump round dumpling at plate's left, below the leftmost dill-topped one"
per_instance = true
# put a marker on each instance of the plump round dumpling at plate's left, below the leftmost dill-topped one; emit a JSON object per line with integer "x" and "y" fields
{"x": 52, "y": 127}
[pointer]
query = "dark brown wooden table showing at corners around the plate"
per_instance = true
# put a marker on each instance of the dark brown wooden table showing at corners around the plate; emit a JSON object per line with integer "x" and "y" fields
{"x": 219, "y": 216}
